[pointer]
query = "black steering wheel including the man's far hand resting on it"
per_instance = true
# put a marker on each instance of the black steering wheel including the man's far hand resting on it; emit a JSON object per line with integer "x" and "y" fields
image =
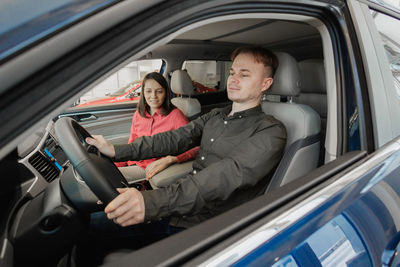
{"x": 96, "y": 170}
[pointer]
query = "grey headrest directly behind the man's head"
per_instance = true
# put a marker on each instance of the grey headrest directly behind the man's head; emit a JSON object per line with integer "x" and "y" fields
{"x": 287, "y": 77}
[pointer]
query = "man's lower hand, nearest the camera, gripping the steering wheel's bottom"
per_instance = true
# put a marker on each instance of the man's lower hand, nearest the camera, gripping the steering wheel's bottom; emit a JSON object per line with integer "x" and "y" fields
{"x": 127, "y": 208}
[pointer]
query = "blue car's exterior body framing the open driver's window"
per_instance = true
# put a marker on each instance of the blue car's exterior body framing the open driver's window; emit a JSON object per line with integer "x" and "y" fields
{"x": 344, "y": 213}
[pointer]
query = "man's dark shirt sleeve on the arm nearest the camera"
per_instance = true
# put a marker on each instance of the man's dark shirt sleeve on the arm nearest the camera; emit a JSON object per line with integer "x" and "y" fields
{"x": 253, "y": 160}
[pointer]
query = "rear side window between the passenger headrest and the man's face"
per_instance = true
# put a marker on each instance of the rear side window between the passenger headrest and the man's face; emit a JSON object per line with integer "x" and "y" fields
{"x": 208, "y": 75}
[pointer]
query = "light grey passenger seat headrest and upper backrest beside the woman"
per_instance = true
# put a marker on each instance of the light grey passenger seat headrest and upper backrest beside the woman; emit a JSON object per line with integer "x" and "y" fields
{"x": 181, "y": 84}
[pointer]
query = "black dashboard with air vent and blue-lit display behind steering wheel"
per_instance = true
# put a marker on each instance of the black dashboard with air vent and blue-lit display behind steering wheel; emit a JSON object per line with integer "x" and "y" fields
{"x": 39, "y": 213}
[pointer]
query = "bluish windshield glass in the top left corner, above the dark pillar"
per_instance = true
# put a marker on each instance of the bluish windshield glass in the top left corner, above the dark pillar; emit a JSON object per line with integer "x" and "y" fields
{"x": 23, "y": 22}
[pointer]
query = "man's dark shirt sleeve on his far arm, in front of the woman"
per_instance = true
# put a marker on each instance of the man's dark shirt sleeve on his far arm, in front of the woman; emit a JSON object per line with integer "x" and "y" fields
{"x": 163, "y": 144}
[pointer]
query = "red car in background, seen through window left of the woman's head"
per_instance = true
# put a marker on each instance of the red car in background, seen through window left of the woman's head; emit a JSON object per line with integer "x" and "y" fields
{"x": 130, "y": 92}
